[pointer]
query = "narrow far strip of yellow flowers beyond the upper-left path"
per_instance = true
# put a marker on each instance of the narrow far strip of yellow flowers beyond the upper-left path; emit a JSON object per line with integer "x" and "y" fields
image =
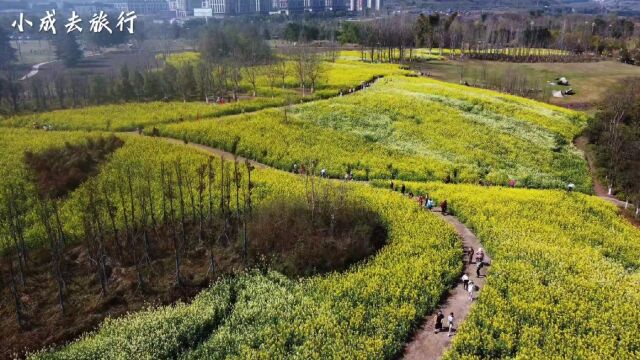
{"x": 339, "y": 76}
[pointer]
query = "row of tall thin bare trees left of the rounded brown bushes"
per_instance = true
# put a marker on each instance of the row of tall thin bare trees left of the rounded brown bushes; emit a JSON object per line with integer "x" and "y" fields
{"x": 127, "y": 223}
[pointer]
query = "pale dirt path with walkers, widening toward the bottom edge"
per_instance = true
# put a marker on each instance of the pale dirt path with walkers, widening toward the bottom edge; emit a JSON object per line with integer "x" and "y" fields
{"x": 426, "y": 344}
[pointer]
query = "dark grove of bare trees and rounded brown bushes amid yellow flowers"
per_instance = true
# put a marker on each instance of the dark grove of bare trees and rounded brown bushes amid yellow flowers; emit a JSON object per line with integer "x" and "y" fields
{"x": 148, "y": 221}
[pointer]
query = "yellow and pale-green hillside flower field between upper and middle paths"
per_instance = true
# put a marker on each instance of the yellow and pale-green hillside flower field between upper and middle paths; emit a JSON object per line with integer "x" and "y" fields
{"x": 410, "y": 128}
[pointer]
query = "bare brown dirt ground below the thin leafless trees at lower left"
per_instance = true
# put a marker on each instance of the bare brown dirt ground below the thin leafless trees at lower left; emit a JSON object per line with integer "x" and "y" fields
{"x": 85, "y": 306}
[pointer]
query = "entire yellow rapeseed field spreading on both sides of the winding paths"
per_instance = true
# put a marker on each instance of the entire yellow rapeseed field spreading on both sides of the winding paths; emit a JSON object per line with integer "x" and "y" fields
{"x": 564, "y": 270}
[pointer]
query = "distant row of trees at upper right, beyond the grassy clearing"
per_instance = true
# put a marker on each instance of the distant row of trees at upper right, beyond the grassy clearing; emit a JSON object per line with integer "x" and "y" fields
{"x": 488, "y": 35}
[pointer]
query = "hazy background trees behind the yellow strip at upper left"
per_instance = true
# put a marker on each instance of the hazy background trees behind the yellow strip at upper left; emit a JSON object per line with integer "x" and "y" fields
{"x": 232, "y": 62}
